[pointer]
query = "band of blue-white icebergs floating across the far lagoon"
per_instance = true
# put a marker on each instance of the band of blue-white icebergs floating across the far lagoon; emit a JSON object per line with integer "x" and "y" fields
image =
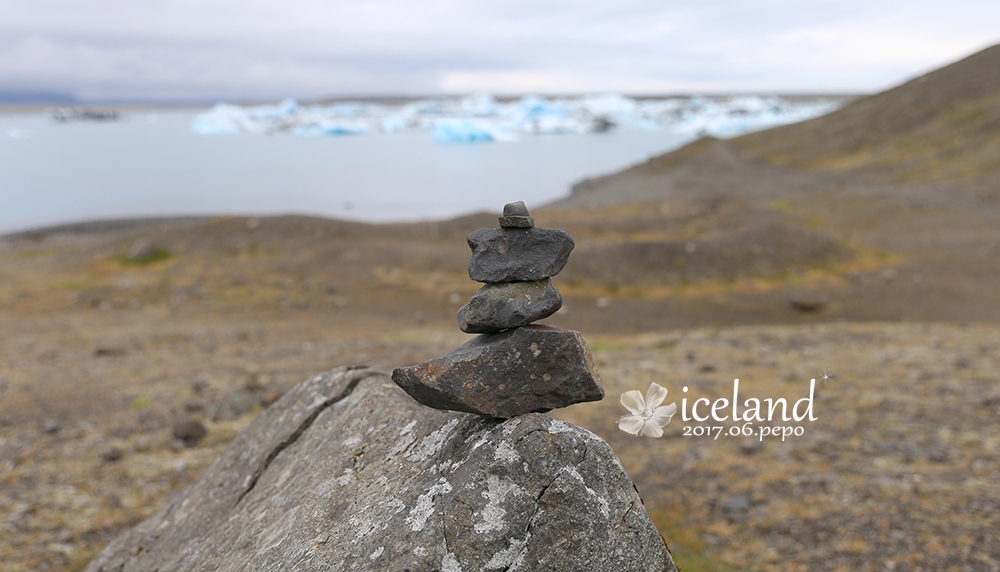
{"x": 481, "y": 117}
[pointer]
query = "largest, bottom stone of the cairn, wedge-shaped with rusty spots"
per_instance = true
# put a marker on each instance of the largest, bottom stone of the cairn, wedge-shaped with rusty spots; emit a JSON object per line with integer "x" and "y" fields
{"x": 529, "y": 369}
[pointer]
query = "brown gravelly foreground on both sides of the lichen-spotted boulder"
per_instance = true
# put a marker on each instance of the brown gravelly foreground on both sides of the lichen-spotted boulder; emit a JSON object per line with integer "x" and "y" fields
{"x": 900, "y": 470}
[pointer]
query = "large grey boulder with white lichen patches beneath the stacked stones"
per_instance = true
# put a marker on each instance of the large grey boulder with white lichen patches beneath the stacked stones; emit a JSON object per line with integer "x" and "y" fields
{"x": 346, "y": 473}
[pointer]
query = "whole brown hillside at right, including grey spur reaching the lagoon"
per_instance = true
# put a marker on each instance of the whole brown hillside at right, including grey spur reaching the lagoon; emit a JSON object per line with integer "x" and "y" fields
{"x": 942, "y": 127}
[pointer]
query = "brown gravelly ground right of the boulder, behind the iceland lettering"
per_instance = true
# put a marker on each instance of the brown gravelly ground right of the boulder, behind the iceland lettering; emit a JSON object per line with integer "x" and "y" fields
{"x": 900, "y": 470}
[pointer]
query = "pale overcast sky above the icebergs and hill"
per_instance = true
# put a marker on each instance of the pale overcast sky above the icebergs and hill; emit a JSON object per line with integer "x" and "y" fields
{"x": 140, "y": 49}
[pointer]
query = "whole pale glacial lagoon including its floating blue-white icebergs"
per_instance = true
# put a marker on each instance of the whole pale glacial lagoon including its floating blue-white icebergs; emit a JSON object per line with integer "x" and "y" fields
{"x": 399, "y": 163}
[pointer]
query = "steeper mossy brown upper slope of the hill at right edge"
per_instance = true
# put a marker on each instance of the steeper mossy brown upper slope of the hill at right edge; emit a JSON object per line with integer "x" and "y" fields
{"x": 940, "y": 126}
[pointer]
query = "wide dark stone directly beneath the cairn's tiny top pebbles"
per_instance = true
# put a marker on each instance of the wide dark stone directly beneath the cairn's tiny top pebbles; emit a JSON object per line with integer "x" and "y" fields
{"x": 517, "y": 254}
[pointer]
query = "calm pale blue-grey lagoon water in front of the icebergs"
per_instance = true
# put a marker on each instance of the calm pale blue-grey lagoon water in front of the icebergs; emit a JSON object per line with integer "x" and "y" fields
{"x": 154, "y": 165}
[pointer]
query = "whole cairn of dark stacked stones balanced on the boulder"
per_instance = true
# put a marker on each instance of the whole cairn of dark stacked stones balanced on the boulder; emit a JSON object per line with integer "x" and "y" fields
{"x": 513, "y": 366}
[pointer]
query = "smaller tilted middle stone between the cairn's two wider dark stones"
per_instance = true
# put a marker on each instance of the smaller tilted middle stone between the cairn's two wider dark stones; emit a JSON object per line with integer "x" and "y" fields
{"x": 507, "y": 305}
